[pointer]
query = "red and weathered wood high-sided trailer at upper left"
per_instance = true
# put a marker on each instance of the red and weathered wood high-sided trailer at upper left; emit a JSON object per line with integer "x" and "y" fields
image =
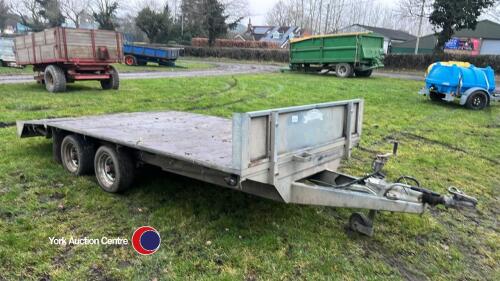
{"x": 63, "y": 55}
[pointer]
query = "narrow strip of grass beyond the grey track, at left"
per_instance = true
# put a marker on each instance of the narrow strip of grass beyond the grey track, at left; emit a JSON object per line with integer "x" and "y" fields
{"x": 181, "y": 65}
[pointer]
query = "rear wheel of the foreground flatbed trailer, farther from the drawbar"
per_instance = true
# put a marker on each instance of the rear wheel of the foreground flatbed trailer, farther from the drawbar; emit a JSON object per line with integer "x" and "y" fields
{"x": 76, "y": 155}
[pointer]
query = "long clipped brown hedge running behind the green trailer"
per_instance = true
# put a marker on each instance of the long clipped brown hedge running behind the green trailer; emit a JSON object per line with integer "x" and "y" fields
{"x": 392, "y": 61}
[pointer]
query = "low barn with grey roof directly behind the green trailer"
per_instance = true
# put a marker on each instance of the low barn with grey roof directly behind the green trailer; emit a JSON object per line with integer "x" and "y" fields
{"x": 391, "y": 36}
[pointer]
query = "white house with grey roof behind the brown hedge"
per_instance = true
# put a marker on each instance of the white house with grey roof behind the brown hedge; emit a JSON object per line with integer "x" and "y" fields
{"x": 268, "y": 33}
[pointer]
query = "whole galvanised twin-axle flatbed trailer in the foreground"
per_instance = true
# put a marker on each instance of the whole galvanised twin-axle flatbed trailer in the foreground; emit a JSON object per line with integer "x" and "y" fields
{"x": 287, "y": 154}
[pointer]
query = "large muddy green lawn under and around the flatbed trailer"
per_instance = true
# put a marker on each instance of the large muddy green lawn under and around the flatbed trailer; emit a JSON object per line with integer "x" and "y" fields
{"x": 212, "y": 233}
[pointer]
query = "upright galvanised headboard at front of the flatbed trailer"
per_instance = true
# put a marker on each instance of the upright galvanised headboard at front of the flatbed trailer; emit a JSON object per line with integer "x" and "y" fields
{"x": 274, "y": 145}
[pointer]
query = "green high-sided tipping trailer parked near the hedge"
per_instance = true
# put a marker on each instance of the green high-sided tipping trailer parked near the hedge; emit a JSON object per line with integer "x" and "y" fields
{"x": 347, "y": 54}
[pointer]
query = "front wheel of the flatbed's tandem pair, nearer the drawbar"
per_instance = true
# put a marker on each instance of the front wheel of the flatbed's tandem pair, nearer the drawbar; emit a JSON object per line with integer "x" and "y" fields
{"x": 114, "y": 170}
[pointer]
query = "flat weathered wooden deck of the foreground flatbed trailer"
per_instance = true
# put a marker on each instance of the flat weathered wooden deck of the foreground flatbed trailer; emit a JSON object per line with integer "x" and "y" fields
{"x": 199, "y": 139}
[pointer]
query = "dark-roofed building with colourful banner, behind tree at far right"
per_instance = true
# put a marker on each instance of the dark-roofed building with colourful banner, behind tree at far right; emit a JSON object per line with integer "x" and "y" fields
{"x": 483, "y": 40}
